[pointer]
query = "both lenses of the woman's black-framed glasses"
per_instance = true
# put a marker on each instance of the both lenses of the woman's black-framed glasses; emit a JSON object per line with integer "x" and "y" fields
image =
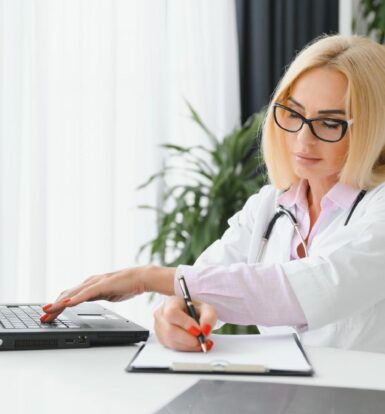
{"x": 327, "y": 129}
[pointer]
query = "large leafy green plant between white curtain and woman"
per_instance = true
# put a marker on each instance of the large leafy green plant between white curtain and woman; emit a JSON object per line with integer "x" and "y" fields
{"x": 220, "y": 179}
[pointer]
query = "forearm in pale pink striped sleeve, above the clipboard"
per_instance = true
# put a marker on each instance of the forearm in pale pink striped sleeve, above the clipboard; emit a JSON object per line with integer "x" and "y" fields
{"x": 245, "y": 294}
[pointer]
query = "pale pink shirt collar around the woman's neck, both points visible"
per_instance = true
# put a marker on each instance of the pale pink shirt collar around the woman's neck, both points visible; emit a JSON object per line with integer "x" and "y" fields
{"x": 340, "y": 195}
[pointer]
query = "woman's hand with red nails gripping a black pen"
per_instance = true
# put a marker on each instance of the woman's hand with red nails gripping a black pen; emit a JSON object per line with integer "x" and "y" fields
{"x": 176, "y": 329}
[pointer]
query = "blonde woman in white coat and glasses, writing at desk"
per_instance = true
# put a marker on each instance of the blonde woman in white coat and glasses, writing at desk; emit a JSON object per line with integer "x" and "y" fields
{"x": 324, "y": 143}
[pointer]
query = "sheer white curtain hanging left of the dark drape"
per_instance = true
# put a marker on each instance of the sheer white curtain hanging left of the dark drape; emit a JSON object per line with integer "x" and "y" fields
{"x": 88, "y": 91}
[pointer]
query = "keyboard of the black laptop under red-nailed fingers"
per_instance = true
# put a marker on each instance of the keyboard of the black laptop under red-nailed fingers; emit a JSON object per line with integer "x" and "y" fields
{"x": 28, "y": 317}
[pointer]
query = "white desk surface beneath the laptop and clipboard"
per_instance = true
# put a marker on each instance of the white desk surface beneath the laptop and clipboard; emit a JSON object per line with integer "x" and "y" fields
{"x": 94, "y": 381}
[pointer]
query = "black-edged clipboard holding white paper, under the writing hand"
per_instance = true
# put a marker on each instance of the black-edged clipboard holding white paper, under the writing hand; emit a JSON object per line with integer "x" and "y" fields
{"x": 231, "y": 355}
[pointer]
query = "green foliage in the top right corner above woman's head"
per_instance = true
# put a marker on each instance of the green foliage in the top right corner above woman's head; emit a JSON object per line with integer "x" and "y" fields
{"x": 373, "y": 11}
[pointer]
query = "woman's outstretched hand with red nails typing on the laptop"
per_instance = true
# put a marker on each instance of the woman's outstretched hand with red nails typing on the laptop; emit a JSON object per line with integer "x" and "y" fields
{"x": 114, "y": 286}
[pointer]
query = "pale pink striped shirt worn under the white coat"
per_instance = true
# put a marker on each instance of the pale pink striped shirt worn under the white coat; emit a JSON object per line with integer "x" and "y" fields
{"x": 273, "y": 301}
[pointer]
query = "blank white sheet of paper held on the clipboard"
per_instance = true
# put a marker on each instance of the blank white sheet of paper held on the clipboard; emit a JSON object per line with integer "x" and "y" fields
{"x": 279, "y": 352}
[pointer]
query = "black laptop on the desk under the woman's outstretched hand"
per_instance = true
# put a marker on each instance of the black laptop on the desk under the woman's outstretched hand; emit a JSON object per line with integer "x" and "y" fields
{"x": 81, "y": 326}
